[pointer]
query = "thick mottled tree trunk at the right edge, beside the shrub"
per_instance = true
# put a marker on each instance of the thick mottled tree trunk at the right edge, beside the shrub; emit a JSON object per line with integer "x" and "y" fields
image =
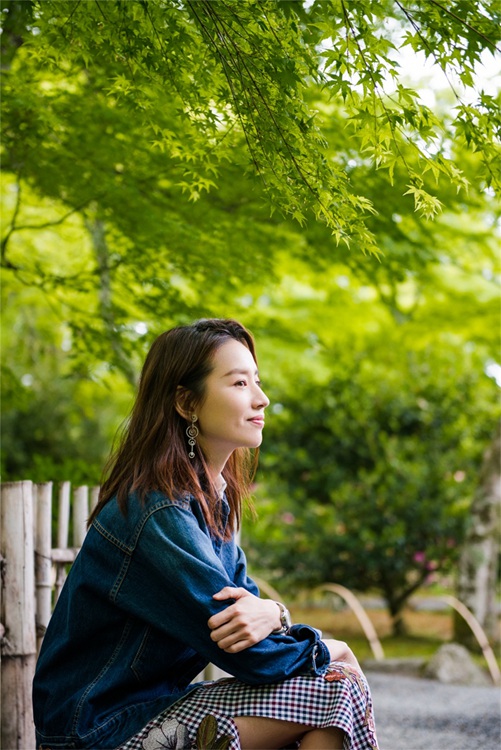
{"x": 478, "y": 566}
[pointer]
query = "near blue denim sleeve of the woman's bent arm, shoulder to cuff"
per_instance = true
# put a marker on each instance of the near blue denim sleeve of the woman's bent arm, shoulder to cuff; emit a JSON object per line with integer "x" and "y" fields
{"x": 169, "y": 582}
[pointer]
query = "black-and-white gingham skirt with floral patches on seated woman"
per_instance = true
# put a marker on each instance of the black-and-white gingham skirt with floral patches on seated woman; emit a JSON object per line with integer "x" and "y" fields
{"x": 340, "y": 698}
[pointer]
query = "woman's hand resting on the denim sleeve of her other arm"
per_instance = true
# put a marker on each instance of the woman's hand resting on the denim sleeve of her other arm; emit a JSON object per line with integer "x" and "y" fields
{"x": 247, "y": 621}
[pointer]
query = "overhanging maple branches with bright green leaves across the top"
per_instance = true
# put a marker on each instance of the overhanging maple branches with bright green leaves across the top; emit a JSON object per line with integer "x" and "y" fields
{"x": 197, "y": 76}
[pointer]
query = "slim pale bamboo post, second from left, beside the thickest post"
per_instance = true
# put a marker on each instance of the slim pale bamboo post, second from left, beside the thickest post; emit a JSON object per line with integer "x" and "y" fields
{"x": 43, "y": 562}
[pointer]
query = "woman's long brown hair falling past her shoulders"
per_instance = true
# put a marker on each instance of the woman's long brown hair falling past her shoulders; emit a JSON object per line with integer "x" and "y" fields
{"x": 153, "y": 453}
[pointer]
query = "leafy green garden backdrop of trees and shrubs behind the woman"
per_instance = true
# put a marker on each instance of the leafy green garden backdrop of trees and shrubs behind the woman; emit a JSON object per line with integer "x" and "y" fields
{"x": 325, "y": 176}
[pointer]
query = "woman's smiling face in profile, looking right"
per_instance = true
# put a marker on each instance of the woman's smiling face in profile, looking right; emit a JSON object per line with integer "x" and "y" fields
{"x": 232, "y": 412}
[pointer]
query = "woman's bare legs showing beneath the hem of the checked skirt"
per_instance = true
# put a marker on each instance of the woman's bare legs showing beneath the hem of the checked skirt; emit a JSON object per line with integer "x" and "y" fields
{"x": 258, "y": 733}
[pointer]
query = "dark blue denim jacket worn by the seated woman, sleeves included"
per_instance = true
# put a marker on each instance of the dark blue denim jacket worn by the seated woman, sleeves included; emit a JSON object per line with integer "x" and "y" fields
{"x": 129, "y": 632}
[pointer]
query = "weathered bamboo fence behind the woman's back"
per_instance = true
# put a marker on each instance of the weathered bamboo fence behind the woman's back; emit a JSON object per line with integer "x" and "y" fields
{"x": 34, "y": 563}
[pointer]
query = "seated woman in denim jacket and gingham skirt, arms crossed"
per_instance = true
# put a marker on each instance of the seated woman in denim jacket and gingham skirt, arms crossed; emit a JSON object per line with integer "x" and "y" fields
{"x": 160, "y": 588}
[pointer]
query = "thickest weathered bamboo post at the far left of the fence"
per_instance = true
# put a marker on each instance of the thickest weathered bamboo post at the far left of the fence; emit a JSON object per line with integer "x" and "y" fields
{"x": 17, "y": 616}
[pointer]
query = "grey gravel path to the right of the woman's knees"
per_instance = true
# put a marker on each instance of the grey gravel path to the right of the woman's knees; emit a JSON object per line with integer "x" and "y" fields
{"x": 418, "y": 714}
